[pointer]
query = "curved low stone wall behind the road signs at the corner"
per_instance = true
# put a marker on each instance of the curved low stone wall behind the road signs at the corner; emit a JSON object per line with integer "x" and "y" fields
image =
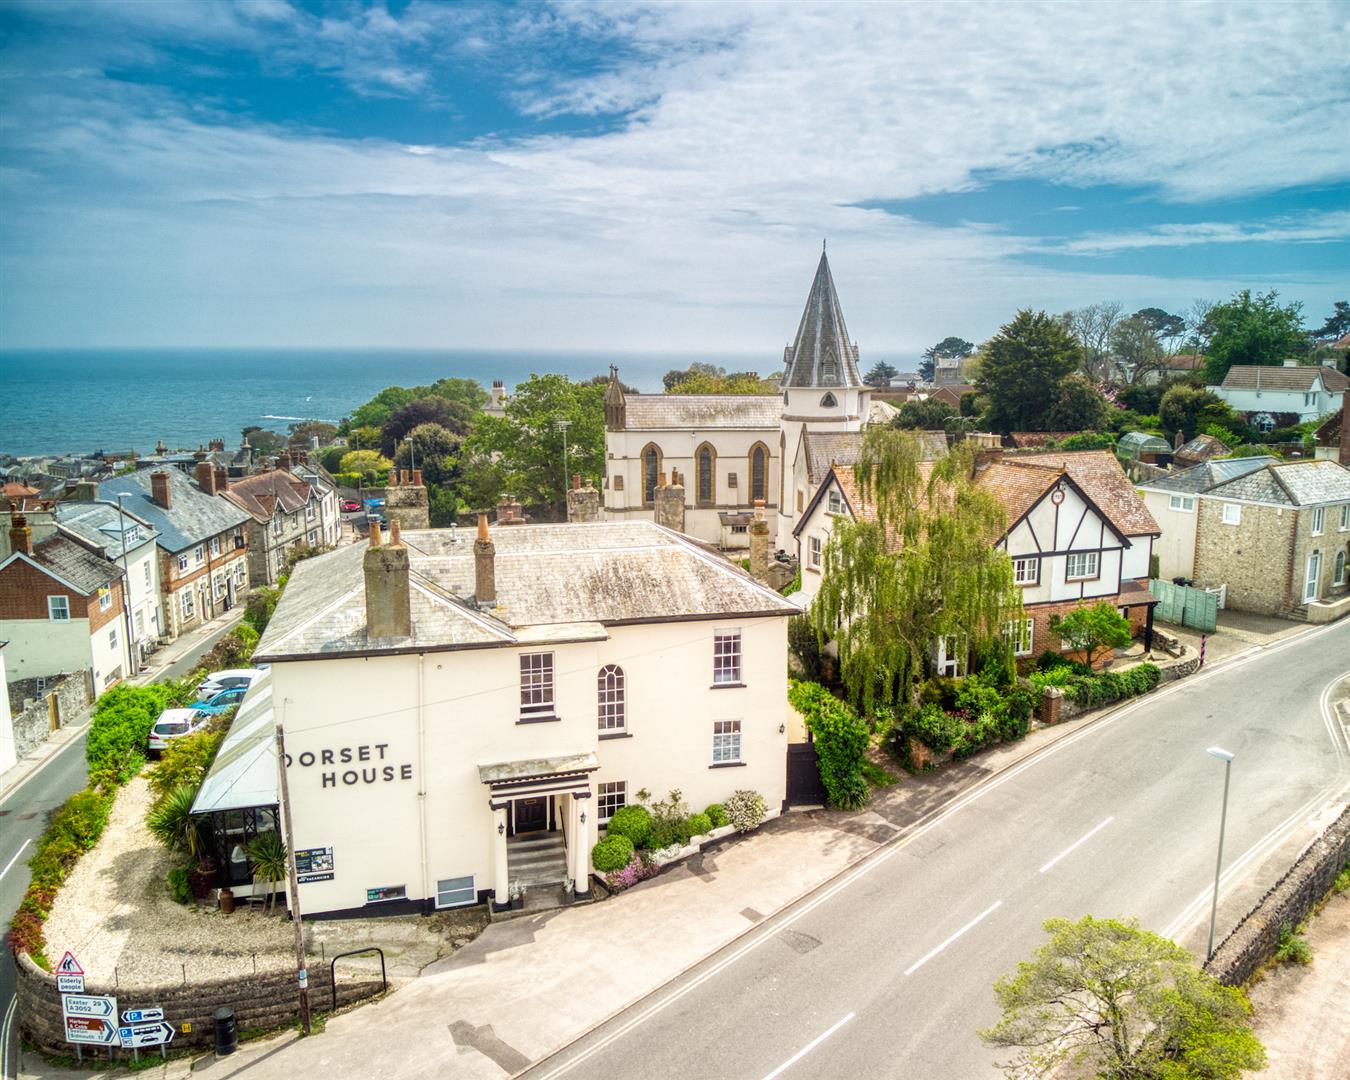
{"x": 260, "y": 1002}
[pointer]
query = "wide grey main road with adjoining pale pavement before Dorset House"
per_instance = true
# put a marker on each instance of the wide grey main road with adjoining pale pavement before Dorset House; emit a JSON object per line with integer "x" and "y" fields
{"x": 773, "y": 943}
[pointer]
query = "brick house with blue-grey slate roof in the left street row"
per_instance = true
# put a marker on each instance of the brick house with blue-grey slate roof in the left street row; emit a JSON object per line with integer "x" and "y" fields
{"x": 203, "y": 549}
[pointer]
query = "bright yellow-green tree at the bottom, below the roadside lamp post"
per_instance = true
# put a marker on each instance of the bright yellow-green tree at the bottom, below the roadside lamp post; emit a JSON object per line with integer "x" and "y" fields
{"x": 1105, "y": 998}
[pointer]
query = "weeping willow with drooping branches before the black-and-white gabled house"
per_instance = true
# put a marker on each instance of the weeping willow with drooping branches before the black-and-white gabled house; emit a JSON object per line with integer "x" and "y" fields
{"x": 916, "y": 565}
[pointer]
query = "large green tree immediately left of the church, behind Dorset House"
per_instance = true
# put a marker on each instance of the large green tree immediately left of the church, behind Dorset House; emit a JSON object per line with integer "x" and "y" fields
{"x": 529, "y": 442}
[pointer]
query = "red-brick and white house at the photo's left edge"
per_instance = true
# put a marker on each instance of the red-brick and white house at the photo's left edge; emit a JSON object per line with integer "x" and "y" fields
{"x": 61, "y": 607}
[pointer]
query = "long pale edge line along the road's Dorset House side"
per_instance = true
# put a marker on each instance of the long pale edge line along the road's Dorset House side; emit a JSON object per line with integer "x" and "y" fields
{"x": 867, "y": 863}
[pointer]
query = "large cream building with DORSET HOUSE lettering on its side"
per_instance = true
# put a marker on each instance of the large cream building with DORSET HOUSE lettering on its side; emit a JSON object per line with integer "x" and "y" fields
{"x": 461, "y": 718}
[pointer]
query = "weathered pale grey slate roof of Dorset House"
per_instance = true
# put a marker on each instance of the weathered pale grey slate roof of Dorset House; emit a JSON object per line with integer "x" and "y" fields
{"x": 556, "y": 583}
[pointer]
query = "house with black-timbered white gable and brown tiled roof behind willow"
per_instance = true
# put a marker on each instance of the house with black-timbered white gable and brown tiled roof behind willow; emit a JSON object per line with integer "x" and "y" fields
{"x": 1077, "y": 534}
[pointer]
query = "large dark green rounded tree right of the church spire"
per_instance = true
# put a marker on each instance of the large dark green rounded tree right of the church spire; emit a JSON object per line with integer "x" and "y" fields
{"x": 1023, "y": 369}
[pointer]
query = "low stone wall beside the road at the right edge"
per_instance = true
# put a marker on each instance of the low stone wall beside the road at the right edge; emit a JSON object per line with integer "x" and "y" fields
{"x": 1290, "y": 901}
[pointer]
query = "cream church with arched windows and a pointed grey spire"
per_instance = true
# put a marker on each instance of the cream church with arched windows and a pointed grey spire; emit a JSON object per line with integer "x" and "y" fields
{"x": 732, "y": 452}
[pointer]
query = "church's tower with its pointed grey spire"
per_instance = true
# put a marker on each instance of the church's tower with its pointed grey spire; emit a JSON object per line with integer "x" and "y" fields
{"x": 823, "y": 387}
